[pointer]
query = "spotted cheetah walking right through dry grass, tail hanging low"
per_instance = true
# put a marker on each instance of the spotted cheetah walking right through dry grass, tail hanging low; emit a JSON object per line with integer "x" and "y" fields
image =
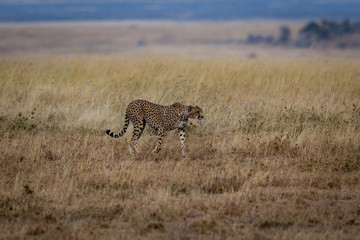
{"x": 158, "y": 117}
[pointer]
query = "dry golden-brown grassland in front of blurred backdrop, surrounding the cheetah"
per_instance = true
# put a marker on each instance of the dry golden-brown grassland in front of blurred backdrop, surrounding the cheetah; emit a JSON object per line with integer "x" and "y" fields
{"x": 277, "y": 155}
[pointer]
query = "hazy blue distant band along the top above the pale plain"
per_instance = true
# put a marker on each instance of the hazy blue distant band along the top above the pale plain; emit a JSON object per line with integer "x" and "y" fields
{"x": 185, "y": 10}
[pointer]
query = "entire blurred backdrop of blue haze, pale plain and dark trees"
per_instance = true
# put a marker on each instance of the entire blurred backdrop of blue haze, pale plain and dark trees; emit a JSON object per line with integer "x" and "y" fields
{"x": 242, "y": 28}
